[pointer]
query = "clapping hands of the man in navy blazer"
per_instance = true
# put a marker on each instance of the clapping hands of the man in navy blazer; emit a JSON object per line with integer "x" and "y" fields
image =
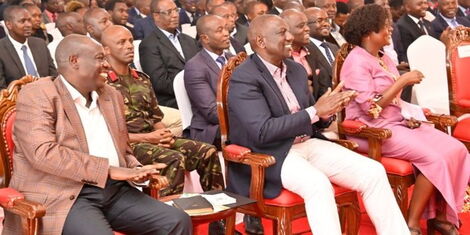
{"x": 333, "y": 101}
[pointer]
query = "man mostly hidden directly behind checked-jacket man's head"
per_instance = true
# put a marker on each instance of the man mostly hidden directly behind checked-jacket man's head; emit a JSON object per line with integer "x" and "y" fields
{"x": 67, "y": 23}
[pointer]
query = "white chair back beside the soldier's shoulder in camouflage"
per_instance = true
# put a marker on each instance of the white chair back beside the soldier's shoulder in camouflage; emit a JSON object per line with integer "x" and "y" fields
{"x": 182, "y": 99}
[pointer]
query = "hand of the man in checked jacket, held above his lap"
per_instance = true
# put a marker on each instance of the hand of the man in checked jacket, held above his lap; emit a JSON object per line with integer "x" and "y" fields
{"x": 134, "y": 174}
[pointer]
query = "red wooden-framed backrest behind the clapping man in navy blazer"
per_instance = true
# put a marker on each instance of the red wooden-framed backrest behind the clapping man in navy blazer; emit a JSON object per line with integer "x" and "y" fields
{"x": 222, "y": 94}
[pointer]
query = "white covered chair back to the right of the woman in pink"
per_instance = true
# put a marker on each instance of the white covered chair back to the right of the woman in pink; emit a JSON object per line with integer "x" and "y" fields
{"x": 433, "y": 91}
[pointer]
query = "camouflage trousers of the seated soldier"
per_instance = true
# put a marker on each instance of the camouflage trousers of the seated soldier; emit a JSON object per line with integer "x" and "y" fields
{"x": 185, "y": 155}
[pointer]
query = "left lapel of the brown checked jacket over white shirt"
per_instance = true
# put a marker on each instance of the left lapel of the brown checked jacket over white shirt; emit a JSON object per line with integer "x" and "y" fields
{"x": 72, "y": 114}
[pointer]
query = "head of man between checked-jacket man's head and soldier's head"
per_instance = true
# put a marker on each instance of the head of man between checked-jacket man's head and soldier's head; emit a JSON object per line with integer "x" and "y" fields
{"x": 96, "y": 21}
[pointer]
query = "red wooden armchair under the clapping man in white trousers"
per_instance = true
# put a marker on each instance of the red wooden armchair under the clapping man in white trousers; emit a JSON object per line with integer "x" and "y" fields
{"x": 287, "y": 206}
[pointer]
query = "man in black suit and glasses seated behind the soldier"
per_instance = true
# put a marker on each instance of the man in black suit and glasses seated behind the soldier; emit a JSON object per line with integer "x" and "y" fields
{"x": 165, "y": 51}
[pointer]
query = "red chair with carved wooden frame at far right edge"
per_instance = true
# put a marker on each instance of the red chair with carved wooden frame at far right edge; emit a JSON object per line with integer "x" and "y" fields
{"x": 459, "y": 82}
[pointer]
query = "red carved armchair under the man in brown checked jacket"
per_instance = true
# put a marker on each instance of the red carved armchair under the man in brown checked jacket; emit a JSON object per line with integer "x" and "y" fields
{"x": 10, "y": 199}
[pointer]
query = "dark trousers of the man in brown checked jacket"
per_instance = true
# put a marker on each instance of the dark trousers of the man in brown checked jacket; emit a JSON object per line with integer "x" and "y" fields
{"x": 123, "y": 208}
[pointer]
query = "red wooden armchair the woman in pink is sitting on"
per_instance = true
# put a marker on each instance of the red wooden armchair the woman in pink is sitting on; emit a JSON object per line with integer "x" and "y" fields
{"x": 400, "y": 172}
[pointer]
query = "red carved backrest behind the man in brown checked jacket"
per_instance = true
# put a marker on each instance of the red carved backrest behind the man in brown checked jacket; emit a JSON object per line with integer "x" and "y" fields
{"x": 8, "y": 99}
